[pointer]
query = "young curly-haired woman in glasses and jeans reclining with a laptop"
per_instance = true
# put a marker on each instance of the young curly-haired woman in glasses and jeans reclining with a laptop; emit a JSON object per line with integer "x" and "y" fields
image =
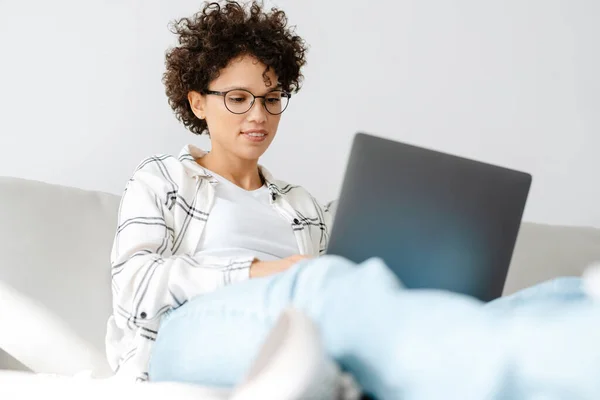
{"x": 195, "y": 231}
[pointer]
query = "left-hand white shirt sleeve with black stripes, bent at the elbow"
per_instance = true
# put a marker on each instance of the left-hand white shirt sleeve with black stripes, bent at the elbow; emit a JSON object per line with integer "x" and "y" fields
{"x": 147, "y": 279}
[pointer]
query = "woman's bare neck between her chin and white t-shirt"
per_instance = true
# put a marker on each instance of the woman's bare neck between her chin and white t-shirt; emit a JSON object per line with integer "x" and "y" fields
{"x": 243, "y": 173}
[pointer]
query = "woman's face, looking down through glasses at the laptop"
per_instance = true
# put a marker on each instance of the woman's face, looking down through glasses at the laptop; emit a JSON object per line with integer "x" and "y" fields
{"x": 248, "y": 135}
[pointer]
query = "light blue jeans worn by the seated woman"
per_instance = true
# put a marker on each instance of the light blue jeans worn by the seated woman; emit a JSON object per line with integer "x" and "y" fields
{"x": 409, "y": 344}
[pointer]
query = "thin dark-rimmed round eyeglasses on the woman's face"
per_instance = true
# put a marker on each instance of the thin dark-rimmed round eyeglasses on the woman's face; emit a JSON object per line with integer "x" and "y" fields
{"x": 240, "y": 101}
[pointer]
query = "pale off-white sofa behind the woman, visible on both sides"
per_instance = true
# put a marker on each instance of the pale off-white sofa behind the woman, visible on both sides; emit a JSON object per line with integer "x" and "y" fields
{"x": 55, "y": 245}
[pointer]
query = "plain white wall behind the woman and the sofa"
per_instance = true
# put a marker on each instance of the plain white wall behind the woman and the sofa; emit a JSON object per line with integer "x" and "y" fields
{"x": 510, "y": 82}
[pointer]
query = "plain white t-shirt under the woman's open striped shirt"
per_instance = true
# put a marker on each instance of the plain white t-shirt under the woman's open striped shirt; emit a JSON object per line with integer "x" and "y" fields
{"x": 243, "y": 223}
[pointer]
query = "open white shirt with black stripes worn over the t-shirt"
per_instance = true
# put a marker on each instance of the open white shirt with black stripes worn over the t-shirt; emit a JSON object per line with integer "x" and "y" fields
{"x": 155, "y": 268}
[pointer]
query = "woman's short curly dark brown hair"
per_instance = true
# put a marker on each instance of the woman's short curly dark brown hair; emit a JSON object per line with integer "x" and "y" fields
{"x": 211, "y": 38}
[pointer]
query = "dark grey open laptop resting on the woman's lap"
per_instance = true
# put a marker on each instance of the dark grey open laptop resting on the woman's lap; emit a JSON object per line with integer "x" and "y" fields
{"x": 437, "y": 220}
